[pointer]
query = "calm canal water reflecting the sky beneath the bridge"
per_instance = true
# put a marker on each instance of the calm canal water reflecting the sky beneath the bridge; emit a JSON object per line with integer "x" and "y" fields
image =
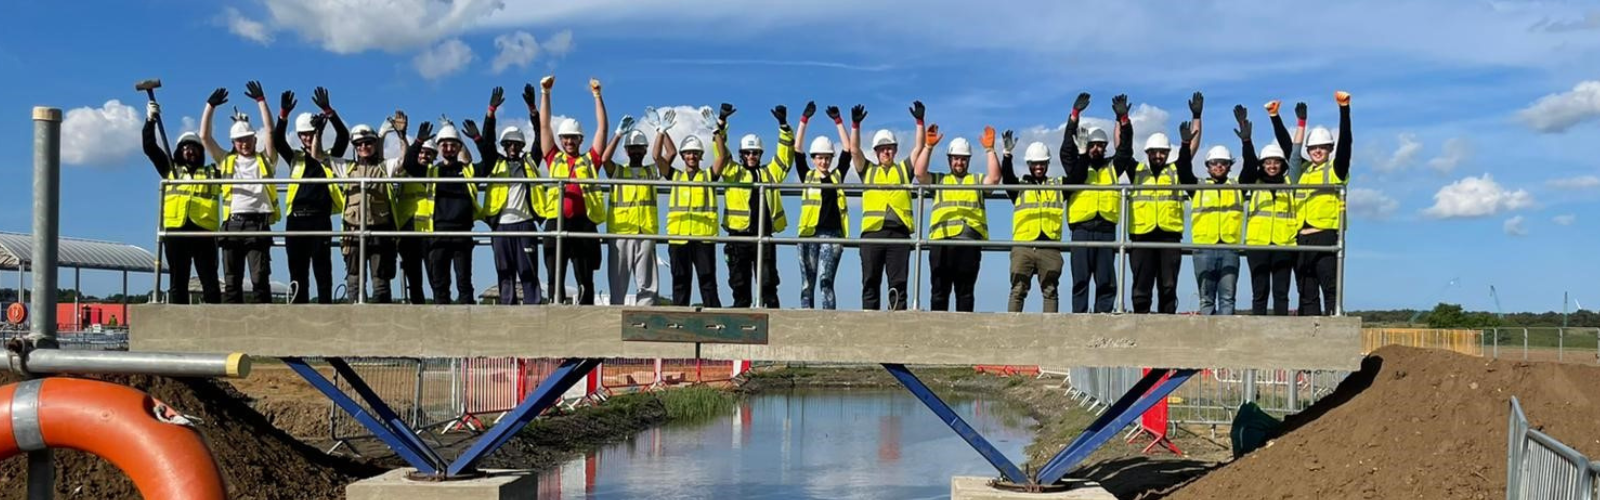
{"x": 801, "y": 445}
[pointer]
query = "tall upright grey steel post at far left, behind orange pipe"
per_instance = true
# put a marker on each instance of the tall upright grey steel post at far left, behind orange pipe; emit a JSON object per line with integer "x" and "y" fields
{"x": 47, "y": 217}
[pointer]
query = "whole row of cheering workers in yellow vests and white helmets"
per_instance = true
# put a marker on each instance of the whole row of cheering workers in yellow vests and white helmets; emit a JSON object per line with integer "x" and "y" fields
{"x": 1265, "y": 222}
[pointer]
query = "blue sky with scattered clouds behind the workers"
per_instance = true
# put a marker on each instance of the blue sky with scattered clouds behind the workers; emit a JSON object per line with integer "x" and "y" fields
{"x": 1470, "y": 118}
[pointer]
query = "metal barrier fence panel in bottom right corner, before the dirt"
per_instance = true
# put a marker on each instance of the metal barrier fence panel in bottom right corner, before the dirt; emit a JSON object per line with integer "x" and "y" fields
{"x": 1540, "y": 467}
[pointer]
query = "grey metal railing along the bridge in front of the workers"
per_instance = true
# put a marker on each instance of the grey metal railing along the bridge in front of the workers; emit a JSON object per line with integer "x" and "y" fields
{"x": 919, "y": 240}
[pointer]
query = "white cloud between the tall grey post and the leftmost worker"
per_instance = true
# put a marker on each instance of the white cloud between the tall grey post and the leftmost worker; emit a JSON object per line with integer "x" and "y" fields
{"x": 100, "y": 137}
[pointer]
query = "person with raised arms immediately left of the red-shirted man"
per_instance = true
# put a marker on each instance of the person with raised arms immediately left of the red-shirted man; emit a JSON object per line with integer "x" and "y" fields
{"x": 511, "y": 208}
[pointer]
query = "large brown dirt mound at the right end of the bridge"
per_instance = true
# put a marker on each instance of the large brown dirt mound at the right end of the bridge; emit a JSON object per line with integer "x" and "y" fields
{"x": 1414, "y": 424}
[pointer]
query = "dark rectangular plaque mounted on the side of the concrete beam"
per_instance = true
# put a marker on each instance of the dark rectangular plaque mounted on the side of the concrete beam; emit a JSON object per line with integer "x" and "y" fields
{"x": 695, "y": 328}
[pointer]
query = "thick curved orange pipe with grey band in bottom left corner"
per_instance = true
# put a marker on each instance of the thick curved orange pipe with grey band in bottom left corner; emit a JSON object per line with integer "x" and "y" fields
{"x": 166, "y": 461}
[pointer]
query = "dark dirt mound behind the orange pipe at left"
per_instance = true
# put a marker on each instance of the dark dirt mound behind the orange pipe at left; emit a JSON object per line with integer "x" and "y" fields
{"x": 258, "y": 461}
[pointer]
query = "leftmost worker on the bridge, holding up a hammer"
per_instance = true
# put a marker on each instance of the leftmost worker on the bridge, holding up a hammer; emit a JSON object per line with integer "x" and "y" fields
{"x": 190, "y": 209}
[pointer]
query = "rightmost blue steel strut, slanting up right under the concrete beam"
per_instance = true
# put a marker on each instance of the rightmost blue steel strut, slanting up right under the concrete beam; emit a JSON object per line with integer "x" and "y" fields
{"x": 1121, "y": 414}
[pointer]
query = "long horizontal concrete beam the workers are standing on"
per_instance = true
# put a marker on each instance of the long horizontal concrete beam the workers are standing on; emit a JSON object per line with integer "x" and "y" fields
{"x": 938, "y": 339}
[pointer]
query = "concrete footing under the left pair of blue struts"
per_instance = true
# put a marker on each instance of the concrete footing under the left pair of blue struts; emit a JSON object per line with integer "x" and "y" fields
{"x": 495, "y": 486}
